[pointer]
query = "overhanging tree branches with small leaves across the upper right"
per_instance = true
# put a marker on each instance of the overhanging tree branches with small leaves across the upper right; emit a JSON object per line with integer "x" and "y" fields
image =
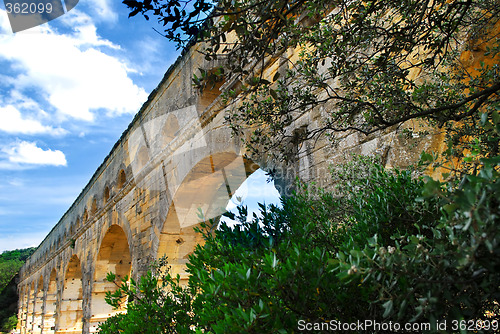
{"x": 371, "y": 64}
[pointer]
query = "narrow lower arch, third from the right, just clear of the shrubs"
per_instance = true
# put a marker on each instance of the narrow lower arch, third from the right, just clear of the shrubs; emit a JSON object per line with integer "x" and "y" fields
{"x": 70, "y": 318}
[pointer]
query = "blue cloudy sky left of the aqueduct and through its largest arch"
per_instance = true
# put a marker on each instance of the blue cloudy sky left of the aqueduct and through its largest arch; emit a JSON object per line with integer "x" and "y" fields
{"x": 68, "y": 89}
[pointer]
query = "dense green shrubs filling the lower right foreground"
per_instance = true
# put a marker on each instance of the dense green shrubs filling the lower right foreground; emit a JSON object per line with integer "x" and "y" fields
{"x": 385, "y": 246}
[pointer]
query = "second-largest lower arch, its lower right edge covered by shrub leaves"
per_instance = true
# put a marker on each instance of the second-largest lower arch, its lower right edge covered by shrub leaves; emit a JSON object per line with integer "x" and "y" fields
{"x": 114, "y": 256}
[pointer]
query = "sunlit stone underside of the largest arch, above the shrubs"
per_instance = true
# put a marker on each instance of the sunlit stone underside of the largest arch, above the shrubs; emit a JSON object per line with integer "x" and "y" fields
{"x": 207, "y": 187}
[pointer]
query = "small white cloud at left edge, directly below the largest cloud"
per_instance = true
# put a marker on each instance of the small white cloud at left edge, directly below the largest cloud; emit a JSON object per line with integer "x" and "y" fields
{"x": 13, "y": 122}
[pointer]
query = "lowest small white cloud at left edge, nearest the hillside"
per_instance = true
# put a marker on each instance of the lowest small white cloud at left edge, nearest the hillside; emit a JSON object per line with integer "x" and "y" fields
{"x": 23, "y": 152}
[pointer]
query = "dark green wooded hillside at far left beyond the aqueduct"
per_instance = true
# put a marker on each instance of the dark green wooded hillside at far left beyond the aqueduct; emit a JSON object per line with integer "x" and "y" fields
{"x": 10, "y": 263}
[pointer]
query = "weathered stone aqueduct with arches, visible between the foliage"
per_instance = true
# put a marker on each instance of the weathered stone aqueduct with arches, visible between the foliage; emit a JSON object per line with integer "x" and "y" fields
{"x": 176, "y": 156}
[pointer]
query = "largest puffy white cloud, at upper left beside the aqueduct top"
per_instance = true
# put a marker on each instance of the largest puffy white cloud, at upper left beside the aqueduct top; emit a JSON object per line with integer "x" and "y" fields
{"x": 72, "y": 71}
